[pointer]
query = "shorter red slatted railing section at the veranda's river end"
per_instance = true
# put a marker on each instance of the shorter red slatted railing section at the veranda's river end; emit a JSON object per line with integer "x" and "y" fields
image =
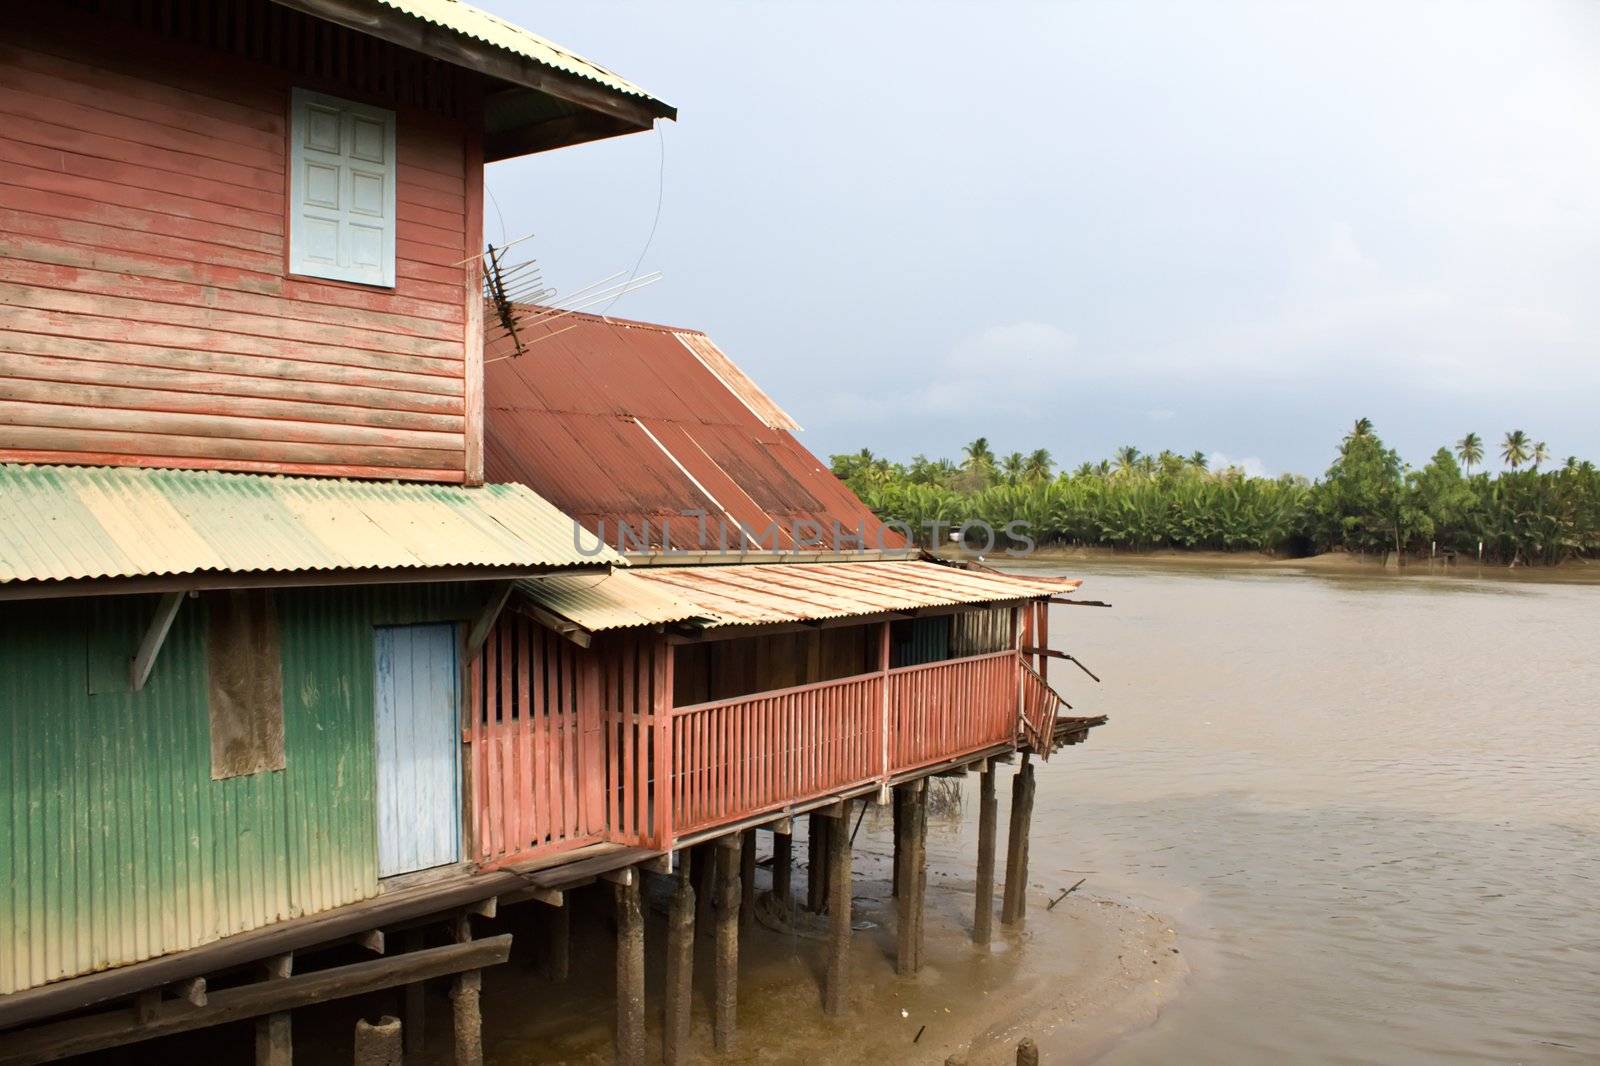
{"x": 945, "y": 710}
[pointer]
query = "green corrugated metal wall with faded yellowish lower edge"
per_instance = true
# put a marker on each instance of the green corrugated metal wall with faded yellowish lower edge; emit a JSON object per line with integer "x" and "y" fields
{"x": 118, "y": 844}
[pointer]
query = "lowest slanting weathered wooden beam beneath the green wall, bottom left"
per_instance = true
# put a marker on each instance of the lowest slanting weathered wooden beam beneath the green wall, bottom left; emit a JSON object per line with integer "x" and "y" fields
{"x": 79, "y": 1036}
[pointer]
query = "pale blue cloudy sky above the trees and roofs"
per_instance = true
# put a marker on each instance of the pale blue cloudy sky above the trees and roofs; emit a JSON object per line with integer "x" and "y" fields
{"x": 1231, "y": 228}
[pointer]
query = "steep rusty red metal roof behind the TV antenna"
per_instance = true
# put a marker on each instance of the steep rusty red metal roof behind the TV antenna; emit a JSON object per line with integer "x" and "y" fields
{"x": 628, "y": 425}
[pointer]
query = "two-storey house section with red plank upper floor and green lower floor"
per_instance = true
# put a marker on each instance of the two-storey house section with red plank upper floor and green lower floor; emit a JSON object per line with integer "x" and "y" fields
{"x": 246, "y": 547}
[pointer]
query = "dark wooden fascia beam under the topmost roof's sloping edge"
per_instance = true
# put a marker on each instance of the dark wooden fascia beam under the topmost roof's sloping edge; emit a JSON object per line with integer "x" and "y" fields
{"x": 367, "y": 17}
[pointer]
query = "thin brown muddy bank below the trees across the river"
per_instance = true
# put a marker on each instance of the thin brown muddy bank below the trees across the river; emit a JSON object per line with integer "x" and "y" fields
{"x": 1577, "y": 572}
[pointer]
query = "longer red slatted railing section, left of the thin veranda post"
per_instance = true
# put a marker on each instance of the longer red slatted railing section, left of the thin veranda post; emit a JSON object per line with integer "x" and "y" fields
{"x": 738, "y": 758}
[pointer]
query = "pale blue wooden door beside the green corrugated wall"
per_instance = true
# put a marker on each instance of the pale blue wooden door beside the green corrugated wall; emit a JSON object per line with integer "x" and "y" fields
{"x": 418, "y": 748}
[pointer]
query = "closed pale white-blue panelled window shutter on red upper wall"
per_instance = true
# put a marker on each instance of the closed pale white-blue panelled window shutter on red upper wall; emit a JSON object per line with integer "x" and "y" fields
{"x": 342, "y": 190}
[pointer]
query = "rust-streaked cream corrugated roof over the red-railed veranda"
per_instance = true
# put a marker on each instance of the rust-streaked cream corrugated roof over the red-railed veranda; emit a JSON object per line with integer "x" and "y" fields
{"x": 751, "y": 595}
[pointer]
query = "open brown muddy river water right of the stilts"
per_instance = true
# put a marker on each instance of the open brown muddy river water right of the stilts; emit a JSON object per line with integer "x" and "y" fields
{"x": 1372, "y": 808}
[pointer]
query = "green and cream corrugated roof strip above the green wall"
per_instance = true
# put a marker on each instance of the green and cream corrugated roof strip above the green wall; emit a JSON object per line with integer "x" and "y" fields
{"x": 68, "y": 523}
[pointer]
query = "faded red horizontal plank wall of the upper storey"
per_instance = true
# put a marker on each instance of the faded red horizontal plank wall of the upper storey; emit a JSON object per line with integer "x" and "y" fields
{"x": 148, "y": 315}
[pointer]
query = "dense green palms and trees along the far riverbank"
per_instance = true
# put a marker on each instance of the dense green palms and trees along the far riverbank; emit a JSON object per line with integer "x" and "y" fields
{"x": 1369, "y": 500}
